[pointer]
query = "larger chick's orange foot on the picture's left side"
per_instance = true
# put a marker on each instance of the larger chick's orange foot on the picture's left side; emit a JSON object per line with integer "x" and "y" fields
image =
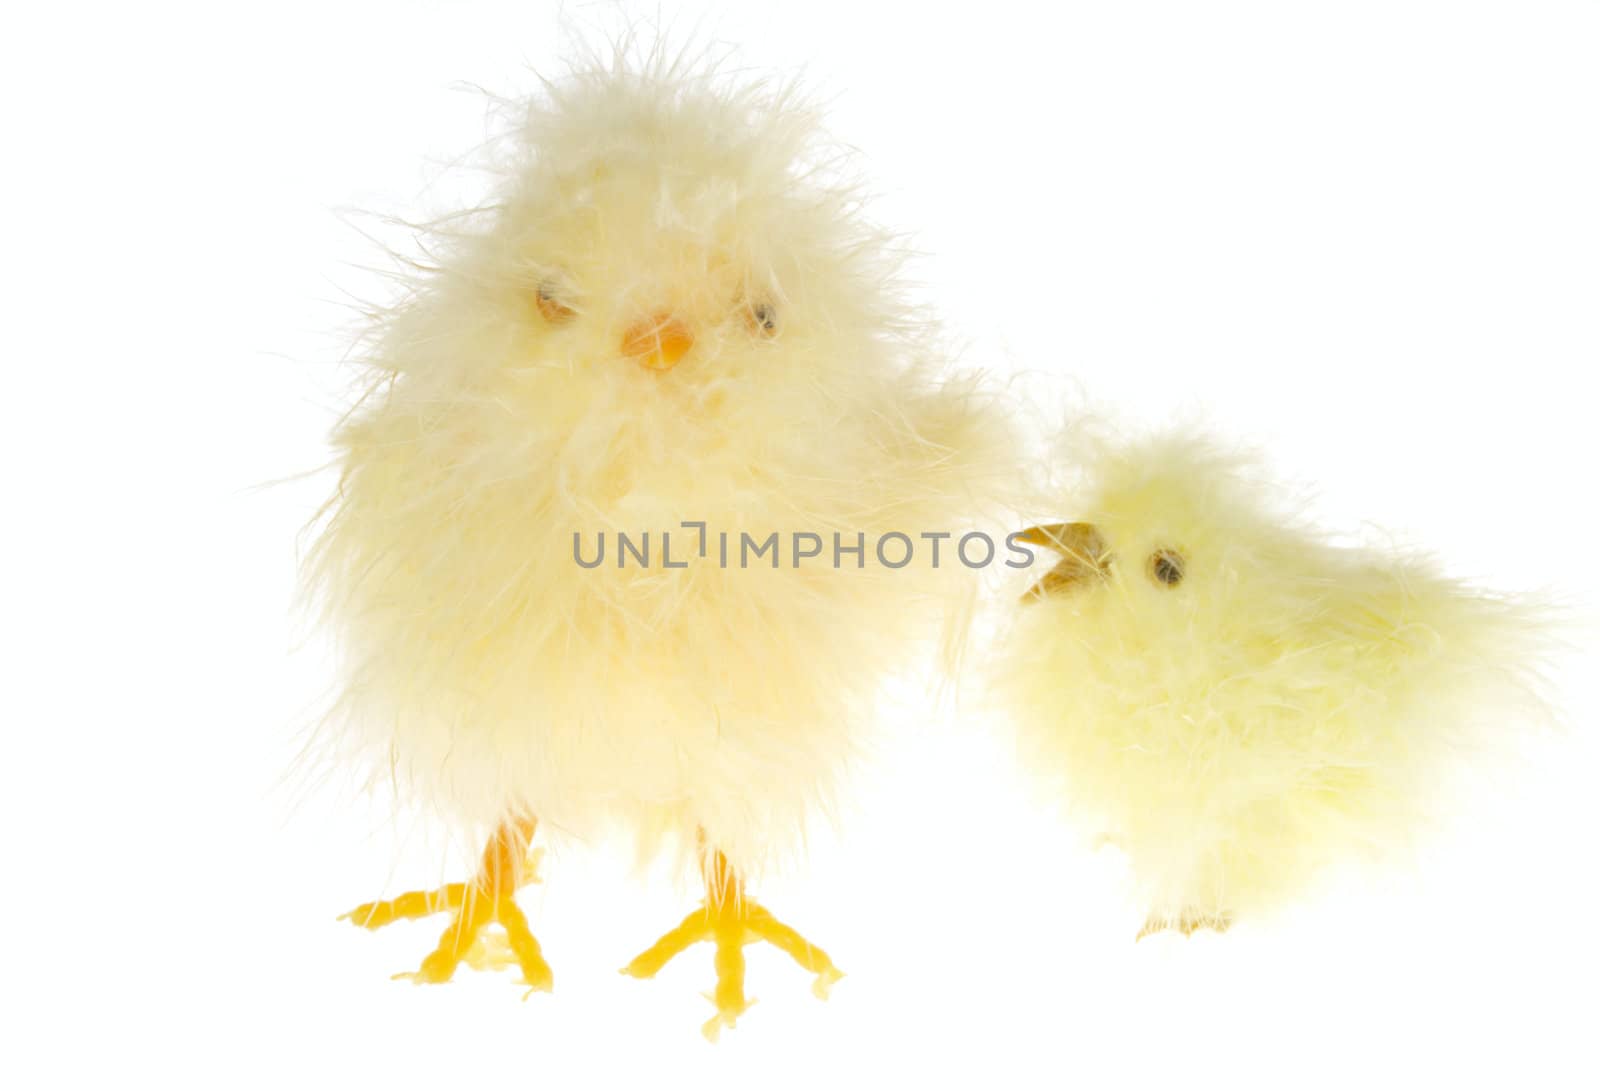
{"x": 487, "y": 900}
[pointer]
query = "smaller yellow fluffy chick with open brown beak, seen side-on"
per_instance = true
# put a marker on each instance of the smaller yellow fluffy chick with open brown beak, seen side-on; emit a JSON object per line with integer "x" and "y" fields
{"x": 1238, "y": 701}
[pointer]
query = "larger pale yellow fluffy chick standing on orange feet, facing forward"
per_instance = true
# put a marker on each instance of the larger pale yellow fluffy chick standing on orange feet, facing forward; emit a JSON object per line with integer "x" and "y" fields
{"x": 666, "y": 314}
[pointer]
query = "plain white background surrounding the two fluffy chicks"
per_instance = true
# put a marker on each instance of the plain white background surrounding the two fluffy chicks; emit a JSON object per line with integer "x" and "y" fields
{"x": 1366, "y": 234}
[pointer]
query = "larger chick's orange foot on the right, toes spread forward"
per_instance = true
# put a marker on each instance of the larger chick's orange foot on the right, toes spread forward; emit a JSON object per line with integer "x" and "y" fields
{"x": 732, "y": 921}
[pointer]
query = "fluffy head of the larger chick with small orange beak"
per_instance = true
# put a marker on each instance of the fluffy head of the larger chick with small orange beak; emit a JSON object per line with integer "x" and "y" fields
{"x": 668, "y": 260}
